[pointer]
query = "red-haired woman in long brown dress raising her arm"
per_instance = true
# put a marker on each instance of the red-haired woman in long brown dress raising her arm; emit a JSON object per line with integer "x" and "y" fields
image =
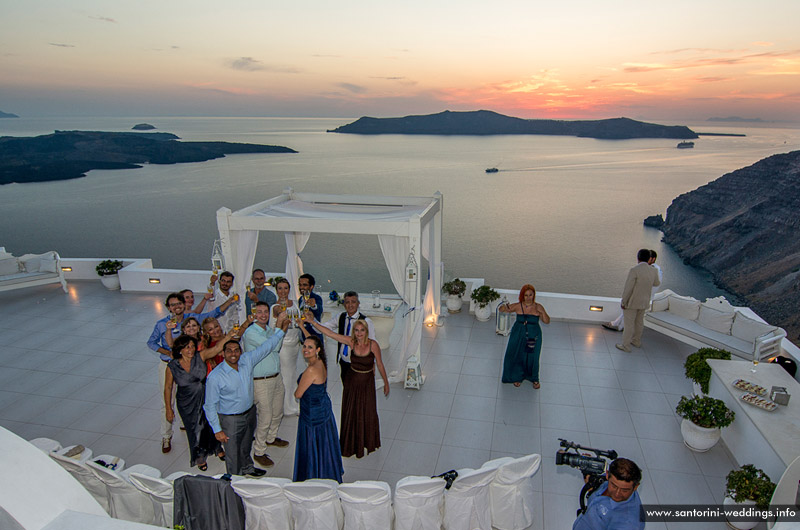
{"x": 360, "y": 427}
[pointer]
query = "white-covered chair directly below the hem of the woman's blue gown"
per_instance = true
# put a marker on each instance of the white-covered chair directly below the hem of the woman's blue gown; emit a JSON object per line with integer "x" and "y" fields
{"x": 315, "y": 505}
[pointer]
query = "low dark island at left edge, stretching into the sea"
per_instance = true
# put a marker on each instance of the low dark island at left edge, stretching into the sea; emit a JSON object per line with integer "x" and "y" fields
{"x": 70, "y": 154}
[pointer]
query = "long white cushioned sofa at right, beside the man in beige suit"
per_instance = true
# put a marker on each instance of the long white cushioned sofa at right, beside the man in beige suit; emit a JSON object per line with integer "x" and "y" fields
{"x": 714, "y": 323}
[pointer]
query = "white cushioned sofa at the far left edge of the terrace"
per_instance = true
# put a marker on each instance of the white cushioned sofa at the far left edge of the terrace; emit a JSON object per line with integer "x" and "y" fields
{"x": 30, "y": 270}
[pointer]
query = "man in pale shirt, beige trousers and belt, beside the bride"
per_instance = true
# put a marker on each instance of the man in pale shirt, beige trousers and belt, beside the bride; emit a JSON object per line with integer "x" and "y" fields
{"x": 268, "y": 386}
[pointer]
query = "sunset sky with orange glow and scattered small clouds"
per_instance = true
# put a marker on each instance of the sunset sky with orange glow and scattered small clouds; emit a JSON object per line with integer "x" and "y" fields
{"x": 674, "y": 60}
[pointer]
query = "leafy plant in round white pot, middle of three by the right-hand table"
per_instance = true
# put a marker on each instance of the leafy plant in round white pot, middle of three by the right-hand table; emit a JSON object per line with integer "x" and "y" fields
{"x": 703, "y": 419}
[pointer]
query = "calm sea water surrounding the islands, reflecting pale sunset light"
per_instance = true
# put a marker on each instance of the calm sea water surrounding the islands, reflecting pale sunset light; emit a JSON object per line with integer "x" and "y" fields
{"x": 563, "y": 213}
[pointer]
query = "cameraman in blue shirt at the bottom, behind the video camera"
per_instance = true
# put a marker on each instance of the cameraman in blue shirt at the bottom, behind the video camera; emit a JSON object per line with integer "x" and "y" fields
{"x": 616, "y": 503}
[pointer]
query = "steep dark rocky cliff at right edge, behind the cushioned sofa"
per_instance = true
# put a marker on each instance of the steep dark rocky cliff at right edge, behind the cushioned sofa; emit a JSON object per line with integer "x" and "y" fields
{"x": 743, "y": 228}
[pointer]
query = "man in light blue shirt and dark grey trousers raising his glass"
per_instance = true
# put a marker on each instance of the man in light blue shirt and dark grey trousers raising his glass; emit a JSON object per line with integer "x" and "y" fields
{"x": 229, "y": 401}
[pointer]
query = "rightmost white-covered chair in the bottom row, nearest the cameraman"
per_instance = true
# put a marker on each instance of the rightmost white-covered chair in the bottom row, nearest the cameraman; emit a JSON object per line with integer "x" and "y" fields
{"x": 511, "y": 493}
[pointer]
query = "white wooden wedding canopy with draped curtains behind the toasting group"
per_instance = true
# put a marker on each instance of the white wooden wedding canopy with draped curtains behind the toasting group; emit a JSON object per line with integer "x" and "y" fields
{"x": 405, "y": 226}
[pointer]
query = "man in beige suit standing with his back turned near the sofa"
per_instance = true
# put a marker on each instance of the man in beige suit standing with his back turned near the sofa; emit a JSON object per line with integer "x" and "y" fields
{"x": 636, "y": 299}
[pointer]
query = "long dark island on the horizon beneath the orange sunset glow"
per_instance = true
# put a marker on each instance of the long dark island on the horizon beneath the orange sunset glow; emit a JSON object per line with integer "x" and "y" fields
{"x": 485, "y": 122}
